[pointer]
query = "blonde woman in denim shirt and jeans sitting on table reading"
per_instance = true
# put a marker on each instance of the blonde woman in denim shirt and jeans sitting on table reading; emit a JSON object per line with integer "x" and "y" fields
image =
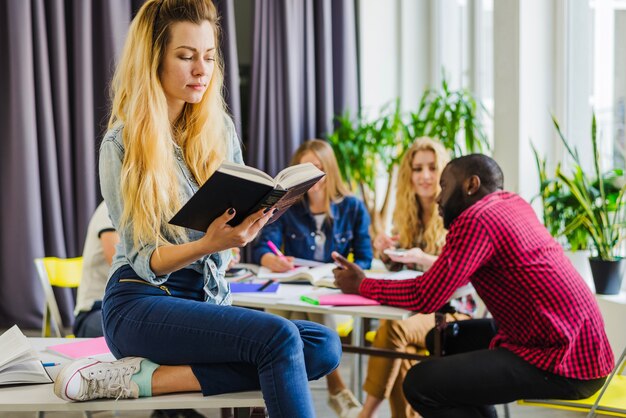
{"x": 166, "y": 300}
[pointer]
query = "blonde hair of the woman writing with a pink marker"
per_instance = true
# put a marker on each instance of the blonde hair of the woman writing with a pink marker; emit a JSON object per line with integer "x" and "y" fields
{"x": 336, "y": 189}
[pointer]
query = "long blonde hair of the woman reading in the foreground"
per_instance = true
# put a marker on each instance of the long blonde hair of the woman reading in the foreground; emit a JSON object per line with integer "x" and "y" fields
{"x": 149, "y": 186}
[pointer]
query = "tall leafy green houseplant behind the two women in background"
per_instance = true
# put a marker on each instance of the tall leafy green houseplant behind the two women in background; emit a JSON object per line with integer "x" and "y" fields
{"x": 364, "y": 148}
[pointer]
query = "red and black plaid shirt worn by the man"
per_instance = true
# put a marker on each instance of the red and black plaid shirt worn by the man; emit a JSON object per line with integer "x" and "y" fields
{"x": 545, "y": 312}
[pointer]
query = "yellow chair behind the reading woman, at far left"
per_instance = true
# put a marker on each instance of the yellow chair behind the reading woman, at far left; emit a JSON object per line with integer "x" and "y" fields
{"x": 60, "y": 272}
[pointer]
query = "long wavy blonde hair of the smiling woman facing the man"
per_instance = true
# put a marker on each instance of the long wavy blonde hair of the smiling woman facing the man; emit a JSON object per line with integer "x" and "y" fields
{"x": 408, "y": 215}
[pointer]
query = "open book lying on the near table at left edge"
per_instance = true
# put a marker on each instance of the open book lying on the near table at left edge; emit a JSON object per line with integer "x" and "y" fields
{"x": 19, "y": 363}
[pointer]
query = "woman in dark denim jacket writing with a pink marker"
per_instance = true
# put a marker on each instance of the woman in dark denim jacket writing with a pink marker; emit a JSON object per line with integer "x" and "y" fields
{"x": 327, "y": 219}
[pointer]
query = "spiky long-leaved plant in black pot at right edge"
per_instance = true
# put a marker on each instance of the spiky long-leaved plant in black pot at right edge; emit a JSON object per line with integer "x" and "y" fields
{"x": 600, "y": 211}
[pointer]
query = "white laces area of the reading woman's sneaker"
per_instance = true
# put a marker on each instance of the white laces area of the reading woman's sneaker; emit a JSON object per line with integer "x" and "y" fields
{"x": 109, "y": 383}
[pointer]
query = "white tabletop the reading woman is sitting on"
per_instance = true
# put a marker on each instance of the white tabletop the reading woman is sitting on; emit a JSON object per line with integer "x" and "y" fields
{"x": 42, "y": 398}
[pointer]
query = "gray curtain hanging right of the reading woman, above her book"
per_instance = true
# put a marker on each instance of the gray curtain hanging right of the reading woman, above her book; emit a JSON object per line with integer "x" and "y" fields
{"x": 304, "y": 72}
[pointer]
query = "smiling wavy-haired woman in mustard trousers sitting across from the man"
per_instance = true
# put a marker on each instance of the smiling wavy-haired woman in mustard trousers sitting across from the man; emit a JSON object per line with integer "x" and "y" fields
{"x": 418, "y": 228}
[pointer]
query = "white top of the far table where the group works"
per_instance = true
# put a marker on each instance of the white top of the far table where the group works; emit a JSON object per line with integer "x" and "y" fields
{"x": 288, "y": 298}
